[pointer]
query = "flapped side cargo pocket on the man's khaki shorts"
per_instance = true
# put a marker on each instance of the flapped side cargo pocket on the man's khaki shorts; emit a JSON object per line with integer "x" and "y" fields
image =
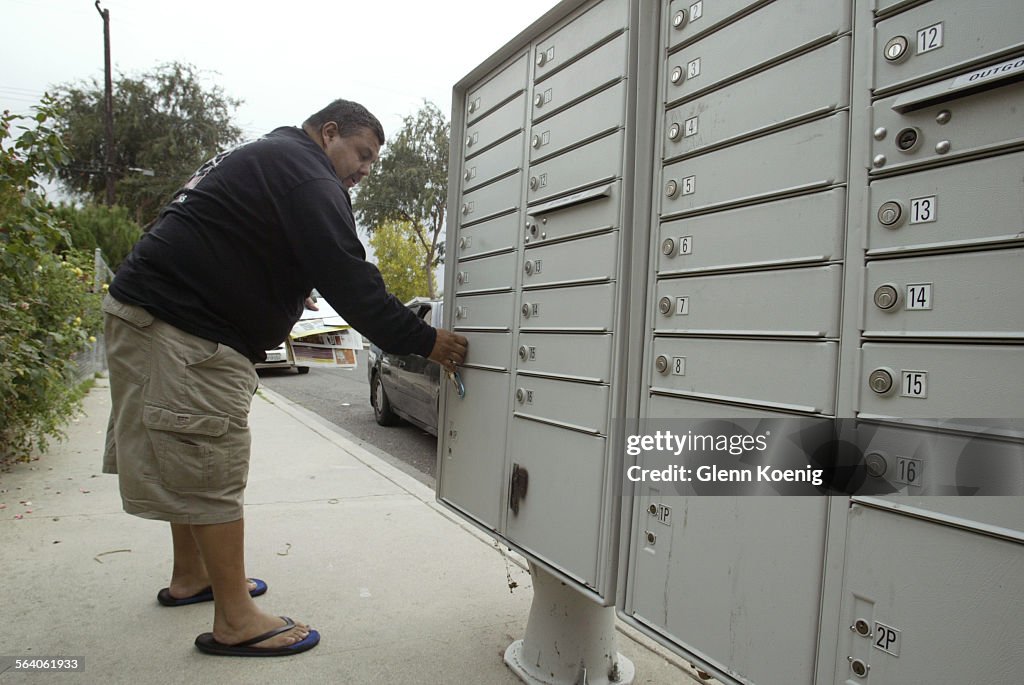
{"x": 197, "y": 452}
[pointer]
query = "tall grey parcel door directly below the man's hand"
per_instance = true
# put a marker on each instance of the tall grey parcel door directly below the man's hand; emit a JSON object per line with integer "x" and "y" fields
{"x": 473, "y": 464}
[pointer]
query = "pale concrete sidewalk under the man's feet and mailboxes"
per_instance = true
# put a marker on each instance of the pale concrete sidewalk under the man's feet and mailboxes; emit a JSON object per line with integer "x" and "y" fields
{"x": 401, "y": 591}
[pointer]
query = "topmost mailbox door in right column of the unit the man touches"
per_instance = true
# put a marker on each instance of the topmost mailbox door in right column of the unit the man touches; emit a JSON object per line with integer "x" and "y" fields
{"x": 605, "y": 19}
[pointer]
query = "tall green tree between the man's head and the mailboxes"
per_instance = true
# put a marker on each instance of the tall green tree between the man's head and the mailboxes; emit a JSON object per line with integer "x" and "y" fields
{"x": 411, "y": 186}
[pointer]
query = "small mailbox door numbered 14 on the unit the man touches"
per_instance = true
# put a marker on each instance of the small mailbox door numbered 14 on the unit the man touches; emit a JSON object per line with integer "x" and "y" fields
{"x": 590, "y": 308}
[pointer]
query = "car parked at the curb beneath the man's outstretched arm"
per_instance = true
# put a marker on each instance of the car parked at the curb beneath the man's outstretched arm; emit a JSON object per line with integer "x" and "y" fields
{"x": 406, "y": 387}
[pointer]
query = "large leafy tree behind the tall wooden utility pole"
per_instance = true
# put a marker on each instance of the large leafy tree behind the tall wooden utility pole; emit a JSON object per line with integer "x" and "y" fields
{"x": 166, "y": 124}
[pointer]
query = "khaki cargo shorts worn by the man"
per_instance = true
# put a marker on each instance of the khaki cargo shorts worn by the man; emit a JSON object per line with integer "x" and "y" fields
{"x": 179, "y": 437}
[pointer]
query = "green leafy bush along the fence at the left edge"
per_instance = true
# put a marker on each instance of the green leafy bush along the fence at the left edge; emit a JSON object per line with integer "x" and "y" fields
{"x": 48, "y": 310}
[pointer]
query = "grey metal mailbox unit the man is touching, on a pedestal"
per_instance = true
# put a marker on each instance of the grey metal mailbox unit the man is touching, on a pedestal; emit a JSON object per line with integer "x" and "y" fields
{"x": 538, "y": 264}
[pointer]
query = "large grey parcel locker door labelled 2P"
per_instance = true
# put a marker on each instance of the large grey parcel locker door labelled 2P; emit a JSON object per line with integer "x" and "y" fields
{"x": 910, "y": 581}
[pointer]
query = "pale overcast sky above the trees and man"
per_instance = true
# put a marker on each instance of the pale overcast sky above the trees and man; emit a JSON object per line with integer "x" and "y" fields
{"x": 284, "y": 60}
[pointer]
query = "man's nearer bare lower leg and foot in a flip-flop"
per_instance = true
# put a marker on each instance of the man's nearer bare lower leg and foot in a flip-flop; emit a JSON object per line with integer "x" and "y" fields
{"x": 236, "y": 617}
